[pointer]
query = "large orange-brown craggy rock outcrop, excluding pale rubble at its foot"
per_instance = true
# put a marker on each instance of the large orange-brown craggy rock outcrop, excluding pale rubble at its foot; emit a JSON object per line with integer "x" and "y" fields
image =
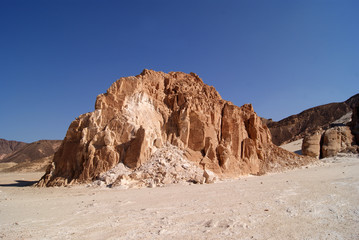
{"x": 140, "y": 116}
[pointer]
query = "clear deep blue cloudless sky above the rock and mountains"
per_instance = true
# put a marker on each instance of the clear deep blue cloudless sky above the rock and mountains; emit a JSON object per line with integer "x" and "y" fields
{"x": 281, "y": 56}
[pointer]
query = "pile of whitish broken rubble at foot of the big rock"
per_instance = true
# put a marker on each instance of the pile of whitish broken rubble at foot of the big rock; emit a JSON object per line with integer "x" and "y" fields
{"x": 167, "y": 165}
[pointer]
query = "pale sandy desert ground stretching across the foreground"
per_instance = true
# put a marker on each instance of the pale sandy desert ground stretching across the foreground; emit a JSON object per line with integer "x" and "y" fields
{"x": 317, "y": 202}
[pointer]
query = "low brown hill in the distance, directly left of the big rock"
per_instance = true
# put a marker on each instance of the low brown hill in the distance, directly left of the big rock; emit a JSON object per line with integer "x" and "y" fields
{"x": 32, "y": 156}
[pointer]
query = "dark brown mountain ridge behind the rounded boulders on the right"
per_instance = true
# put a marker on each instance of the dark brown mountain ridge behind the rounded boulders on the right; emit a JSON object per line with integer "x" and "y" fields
{"x": 297, "y": 126}
